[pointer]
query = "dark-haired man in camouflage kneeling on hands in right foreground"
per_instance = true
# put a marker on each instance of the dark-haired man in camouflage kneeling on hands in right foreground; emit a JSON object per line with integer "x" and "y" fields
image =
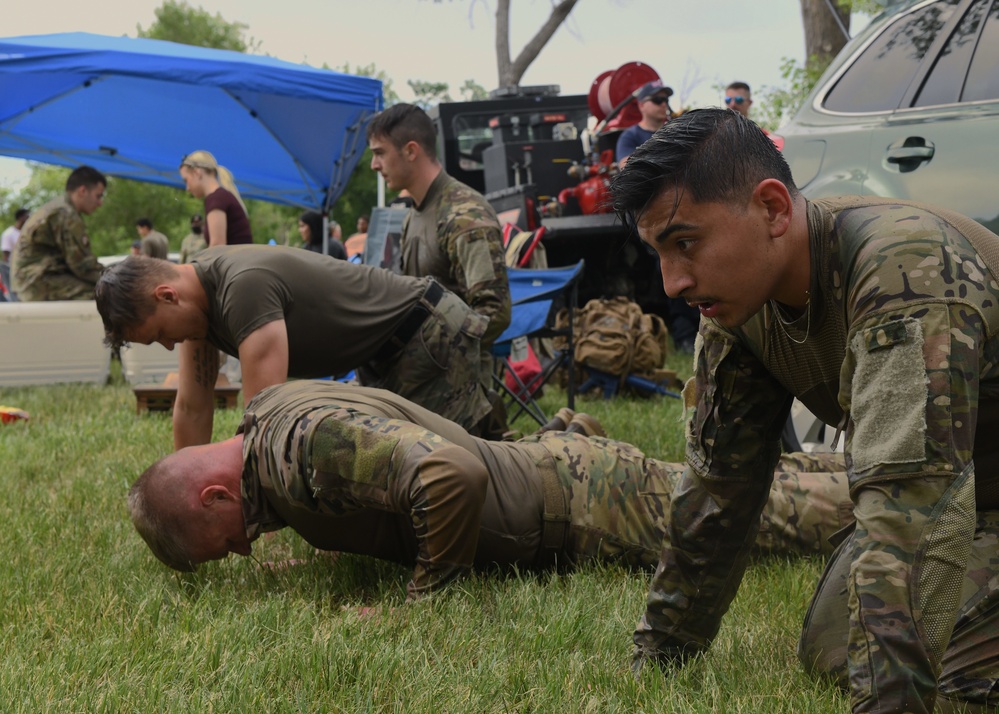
{"x": 881, "y": 317}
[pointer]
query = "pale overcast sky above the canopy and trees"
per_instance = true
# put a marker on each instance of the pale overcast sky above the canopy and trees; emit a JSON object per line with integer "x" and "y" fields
{"x": 694, "y": 46}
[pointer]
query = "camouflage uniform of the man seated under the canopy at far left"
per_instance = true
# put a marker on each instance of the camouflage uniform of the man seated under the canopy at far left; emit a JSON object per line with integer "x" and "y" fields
{"x": 52, "y": 260}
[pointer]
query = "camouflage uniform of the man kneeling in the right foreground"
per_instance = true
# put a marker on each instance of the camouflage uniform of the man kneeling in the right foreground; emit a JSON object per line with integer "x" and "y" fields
{"x": 898, "y": 346}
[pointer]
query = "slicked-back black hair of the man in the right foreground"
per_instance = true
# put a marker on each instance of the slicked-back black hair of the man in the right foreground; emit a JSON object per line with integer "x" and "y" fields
{"x": 713, "y": 155}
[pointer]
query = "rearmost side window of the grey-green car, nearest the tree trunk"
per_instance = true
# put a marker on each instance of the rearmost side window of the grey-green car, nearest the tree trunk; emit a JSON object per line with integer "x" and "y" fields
{"x": 879, "y": 78}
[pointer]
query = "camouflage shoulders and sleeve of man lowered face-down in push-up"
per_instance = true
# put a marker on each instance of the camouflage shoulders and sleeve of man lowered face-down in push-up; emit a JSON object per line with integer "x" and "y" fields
{"x": 369, "y": 484}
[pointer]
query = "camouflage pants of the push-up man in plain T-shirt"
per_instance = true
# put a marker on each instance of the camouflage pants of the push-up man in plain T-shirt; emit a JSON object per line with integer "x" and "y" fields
{"x": 440, "y": 367}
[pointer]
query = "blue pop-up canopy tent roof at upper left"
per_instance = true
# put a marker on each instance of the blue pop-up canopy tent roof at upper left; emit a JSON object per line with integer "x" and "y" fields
{"x": 133, "y": 108}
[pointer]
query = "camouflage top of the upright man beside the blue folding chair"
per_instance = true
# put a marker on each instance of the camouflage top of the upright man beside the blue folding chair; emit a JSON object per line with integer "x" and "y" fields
{"x": 455, "y": 236}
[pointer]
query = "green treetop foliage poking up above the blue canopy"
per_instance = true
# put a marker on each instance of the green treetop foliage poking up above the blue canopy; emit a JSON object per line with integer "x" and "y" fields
{"x": 179, "y": 22}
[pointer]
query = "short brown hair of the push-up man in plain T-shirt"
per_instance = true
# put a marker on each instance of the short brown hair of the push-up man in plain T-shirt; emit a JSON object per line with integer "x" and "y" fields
{"x": 124, "y": 294}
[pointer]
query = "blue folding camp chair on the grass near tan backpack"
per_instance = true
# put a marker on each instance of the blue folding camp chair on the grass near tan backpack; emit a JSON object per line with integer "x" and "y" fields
{"x": 535, "y": 296}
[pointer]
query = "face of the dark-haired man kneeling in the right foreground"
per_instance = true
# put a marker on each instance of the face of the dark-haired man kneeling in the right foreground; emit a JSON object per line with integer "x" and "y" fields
{"x": 719, "y": 257}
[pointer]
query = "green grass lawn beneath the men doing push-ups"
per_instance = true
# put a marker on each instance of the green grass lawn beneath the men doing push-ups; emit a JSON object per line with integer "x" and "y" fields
{"x": 93, "y": 623}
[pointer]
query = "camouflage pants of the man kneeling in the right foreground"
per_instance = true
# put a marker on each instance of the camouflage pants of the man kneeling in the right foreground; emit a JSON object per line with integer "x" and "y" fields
{"x": 969, "y": 680}
